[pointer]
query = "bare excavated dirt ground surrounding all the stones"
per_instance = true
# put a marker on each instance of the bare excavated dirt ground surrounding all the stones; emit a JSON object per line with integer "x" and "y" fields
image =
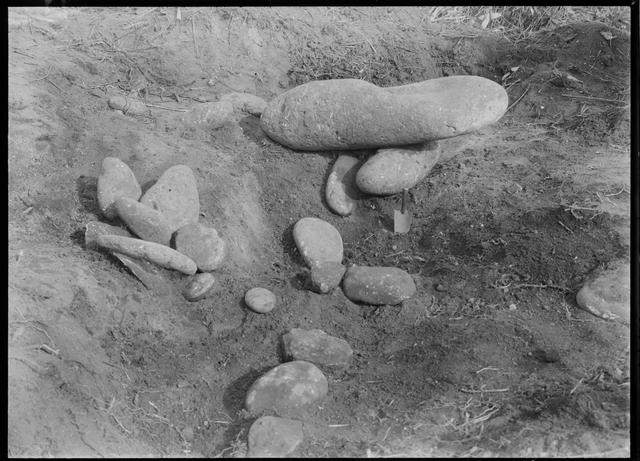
{"x": 492, "y": 357}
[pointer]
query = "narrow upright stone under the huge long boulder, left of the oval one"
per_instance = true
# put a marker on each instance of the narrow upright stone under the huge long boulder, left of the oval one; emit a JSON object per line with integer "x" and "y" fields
{"x": 341, "y": 192}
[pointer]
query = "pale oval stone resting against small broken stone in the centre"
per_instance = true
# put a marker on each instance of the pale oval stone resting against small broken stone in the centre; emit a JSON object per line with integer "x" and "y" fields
{"x": 318, "y": 241}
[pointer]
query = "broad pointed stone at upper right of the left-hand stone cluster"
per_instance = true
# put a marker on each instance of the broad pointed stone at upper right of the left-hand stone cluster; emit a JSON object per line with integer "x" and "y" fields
{"x": 175, "y": 195}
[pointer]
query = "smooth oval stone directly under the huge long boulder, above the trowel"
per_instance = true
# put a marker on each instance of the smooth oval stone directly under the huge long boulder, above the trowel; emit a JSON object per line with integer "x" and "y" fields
{"x": 390, "y": 170}
